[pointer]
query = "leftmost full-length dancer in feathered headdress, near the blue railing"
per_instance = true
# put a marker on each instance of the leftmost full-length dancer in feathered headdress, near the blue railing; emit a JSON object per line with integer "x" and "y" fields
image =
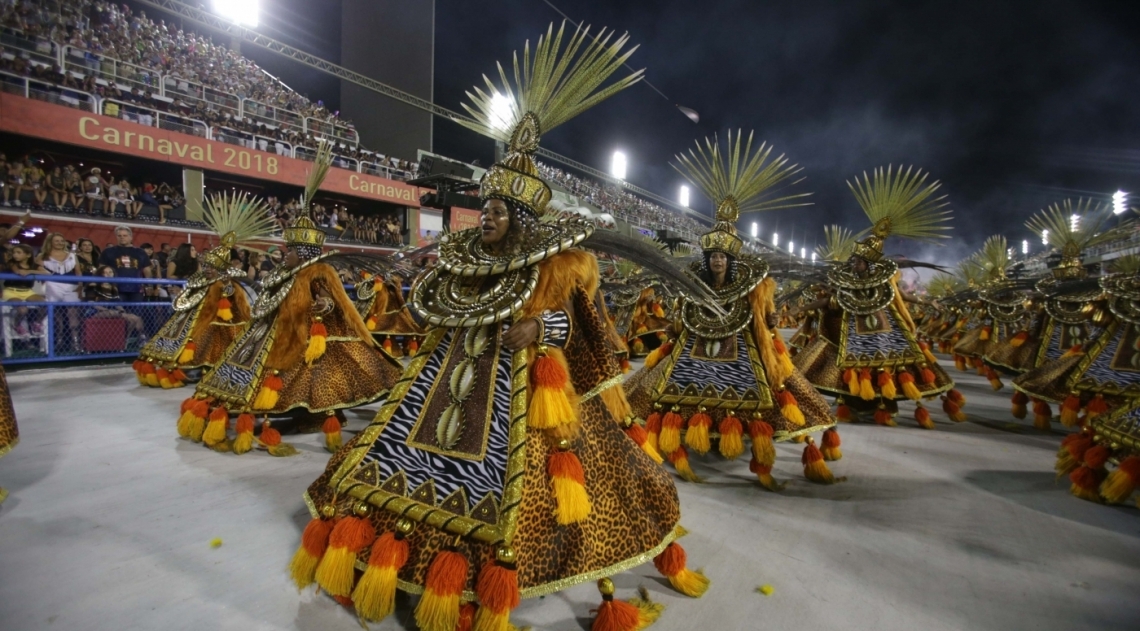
{"x": 213, "y": 308}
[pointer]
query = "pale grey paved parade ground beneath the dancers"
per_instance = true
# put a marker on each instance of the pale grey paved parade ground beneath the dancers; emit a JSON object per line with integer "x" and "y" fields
{"x": 111, "y": 517}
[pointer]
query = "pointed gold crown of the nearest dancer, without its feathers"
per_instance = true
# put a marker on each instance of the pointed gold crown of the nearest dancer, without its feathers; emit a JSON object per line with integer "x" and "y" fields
{"x": 517, "y": 177}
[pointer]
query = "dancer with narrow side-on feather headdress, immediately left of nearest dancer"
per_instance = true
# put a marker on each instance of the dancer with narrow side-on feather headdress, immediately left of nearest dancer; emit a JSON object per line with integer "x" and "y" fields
{"x": 306, "y": 353}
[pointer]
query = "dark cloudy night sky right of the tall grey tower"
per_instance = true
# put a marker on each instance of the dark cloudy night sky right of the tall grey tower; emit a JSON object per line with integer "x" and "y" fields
{"x": 1013, "y": 105}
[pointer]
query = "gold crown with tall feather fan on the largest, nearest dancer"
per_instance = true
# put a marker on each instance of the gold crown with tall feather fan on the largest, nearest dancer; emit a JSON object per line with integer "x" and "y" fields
{"x": 549, "y": 91}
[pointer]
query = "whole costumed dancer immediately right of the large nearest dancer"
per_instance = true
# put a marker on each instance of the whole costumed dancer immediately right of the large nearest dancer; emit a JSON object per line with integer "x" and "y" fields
{"x": 724, "y": 375}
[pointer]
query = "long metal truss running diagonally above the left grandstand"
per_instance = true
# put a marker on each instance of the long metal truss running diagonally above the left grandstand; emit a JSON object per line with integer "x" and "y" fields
{"x": 209, "y": 21}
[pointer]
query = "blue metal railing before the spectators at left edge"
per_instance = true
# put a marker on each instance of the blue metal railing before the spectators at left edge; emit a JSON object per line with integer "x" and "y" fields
{"x": 47, "y": 332}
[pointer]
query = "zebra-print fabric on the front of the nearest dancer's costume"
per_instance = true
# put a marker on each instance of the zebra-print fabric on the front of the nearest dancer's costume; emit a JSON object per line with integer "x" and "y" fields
{"x": 392, "y": 452}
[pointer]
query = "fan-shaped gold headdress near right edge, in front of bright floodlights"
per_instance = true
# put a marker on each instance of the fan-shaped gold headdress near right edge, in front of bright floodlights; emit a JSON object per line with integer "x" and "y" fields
{"x": 1072, "y": 228}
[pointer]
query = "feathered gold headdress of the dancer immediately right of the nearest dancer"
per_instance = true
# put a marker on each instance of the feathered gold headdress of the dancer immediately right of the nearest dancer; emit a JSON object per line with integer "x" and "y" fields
{"x": 737, "y": 184}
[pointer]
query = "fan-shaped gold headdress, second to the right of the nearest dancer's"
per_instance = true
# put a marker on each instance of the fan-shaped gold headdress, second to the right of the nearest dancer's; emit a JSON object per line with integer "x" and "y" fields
{"x": 899, "y": 203}
